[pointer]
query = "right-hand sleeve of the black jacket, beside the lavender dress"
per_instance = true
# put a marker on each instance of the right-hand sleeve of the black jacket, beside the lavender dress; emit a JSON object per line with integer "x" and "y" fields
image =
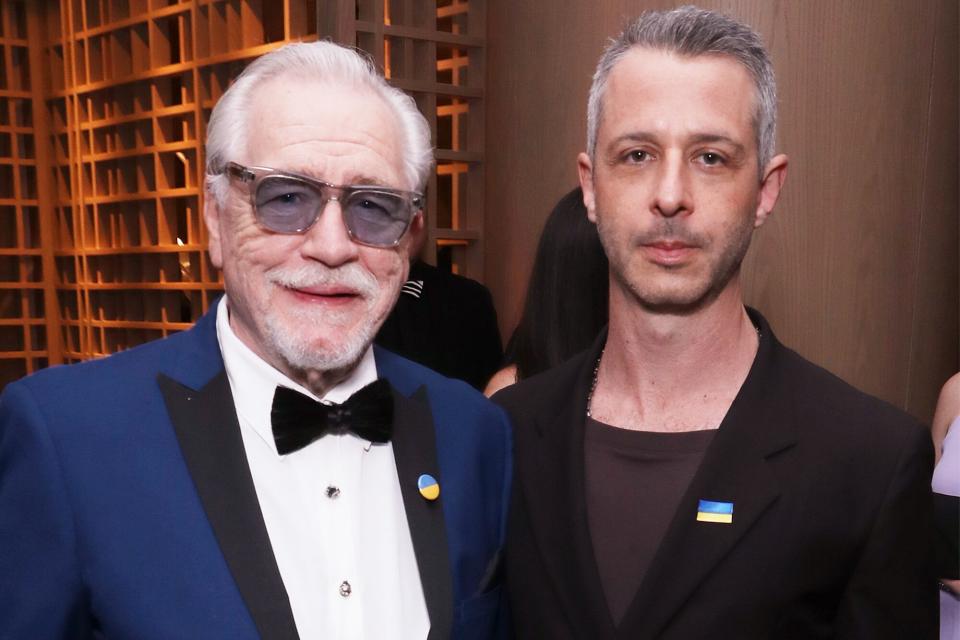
{"x": 892, "y": 593}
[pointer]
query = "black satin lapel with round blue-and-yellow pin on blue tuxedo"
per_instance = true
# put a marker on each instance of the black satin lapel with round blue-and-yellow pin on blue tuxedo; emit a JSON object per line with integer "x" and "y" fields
{"x": 415, "y": 452}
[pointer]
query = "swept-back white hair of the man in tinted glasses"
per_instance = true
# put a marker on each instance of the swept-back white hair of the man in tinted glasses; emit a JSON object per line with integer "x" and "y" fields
{"x": 327, "y": 62}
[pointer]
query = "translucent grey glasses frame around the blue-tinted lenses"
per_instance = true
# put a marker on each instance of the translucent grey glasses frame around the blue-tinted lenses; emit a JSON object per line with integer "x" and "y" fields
{"x": 253, "y": 176}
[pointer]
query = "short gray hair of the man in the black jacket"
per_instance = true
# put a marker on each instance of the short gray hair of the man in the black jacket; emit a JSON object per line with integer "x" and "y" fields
{"x": 690, "y": 31}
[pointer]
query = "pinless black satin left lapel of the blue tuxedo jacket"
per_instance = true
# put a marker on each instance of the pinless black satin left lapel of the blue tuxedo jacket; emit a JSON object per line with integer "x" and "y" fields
{"x": 206, "y": 425}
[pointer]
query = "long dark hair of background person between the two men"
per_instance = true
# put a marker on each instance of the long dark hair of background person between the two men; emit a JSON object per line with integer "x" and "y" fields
{"x": 566, "y": 302}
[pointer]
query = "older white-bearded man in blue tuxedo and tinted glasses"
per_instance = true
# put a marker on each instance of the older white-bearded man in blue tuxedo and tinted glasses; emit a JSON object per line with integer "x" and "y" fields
{"x": 268, "y": 473}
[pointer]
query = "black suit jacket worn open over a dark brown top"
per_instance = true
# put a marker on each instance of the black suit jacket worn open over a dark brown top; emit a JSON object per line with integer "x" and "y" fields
{"x": 831, "y": 531}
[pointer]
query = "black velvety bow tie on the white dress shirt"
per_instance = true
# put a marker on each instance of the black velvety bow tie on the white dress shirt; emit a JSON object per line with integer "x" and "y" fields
{"x": 298, "y": 420}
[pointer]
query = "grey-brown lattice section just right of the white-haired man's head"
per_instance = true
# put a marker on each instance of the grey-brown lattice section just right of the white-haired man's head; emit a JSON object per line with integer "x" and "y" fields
{"x": 434, "y": 50}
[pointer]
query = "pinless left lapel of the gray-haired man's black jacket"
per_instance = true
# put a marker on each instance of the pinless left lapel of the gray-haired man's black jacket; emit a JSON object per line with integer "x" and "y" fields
{"x": 553, "y": 489}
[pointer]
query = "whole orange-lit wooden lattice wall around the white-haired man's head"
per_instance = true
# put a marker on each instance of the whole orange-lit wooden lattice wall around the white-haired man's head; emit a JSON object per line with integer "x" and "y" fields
{"x": 103, "y": 107}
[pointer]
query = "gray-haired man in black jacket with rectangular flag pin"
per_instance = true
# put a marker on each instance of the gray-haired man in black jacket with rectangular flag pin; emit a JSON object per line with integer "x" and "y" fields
{"x": 690, "y": 477}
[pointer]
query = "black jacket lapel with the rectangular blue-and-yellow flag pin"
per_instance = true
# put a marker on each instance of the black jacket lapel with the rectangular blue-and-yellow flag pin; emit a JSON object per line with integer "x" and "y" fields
{"x": 735, "y": 469}
